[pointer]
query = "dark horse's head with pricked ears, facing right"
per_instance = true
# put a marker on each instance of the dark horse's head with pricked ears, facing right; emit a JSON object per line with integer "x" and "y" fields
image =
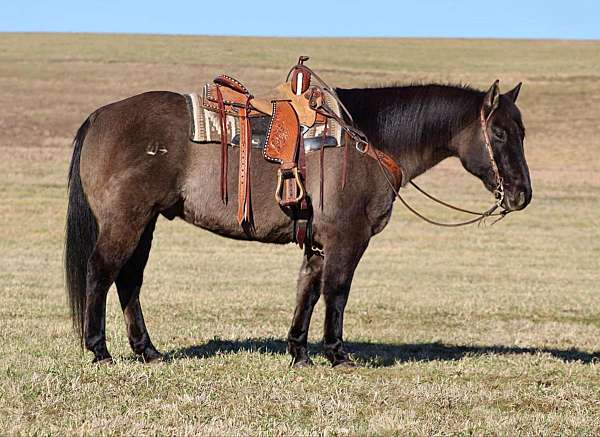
{"x": 502, "y": 120}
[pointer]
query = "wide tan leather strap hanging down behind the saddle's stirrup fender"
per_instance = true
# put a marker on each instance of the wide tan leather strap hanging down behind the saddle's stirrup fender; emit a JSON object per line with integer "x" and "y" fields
{"x": 244, "y": 214}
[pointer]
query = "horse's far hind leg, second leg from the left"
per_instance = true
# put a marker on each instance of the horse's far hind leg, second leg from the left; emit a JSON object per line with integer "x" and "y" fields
{"x": 129, "y": 282}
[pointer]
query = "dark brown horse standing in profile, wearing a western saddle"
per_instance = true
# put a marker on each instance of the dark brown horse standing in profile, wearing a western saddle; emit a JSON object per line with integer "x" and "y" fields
{"x": 117, "y": 190}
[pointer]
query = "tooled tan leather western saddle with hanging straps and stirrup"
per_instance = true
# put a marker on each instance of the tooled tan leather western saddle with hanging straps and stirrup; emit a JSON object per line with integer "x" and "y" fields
{"x": 293, "y": 107}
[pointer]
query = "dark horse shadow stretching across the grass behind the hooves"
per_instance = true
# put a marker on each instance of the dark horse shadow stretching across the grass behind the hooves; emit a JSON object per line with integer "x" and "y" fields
{"x": 378, "y": 354}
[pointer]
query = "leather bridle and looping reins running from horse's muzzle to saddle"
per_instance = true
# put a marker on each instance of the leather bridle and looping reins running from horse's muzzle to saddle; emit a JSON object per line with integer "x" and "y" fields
{"x": 390, "y": 168}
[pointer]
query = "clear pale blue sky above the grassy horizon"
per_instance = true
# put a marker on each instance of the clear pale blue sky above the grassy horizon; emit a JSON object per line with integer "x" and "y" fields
{"x": 577, "y": 19}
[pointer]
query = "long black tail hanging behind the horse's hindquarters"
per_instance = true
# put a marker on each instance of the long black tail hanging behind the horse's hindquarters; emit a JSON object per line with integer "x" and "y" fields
{"x": 81, "y": 235}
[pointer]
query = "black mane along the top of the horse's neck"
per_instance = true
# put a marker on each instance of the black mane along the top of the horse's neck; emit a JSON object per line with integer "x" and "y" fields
{"x": 413, "y": 116}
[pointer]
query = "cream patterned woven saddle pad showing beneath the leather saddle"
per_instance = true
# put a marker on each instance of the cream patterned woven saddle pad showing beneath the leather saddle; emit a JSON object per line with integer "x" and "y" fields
{"x": 206, "y": 128}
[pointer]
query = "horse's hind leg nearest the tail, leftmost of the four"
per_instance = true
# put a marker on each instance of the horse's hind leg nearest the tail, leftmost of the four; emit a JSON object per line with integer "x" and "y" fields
{"x": 117, "y": 240}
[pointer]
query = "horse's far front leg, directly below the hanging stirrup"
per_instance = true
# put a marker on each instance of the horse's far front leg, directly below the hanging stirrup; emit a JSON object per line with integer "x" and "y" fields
{"x": 309, "y": 290}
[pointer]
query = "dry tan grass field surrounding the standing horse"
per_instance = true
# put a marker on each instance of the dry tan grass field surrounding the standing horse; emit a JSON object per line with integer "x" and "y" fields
{"x": 490, "y": 330}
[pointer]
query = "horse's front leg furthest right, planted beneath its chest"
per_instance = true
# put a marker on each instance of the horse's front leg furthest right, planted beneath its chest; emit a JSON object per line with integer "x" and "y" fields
{"x": 338, "y": 271}
